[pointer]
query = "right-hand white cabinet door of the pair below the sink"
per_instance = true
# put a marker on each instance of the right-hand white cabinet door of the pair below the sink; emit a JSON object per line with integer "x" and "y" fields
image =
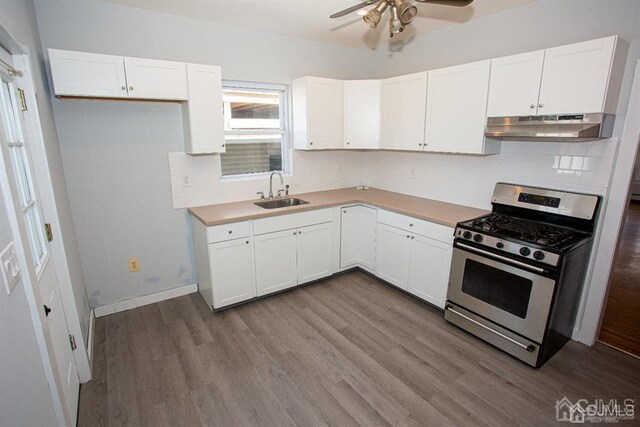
{"x": 315, "y": 252}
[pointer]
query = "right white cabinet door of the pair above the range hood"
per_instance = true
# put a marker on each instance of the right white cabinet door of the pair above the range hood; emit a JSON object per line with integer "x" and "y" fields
{"x": 575, "y": 77}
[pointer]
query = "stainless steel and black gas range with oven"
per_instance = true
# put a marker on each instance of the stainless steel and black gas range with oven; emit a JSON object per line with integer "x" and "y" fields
{"x": 517, "y": 273}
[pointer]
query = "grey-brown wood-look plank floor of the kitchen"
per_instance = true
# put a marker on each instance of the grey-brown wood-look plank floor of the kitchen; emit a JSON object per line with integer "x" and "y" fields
{"x": 349, "y": 350}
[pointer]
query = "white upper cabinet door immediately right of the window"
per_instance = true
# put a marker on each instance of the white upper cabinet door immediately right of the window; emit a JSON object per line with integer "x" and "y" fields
{"x": 325, "y": 118}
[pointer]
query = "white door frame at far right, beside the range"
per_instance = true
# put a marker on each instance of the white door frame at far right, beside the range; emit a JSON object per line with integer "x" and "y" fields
{"x": 614, "y": 214}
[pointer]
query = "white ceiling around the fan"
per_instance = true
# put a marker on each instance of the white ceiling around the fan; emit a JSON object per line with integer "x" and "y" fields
{"x": 309, "y": 19}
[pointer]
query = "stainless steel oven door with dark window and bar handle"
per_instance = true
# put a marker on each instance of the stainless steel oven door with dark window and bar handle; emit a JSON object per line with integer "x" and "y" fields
{"x": 509, "y": 293}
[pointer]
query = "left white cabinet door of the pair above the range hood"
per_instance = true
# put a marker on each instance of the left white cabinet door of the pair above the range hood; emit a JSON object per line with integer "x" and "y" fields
{"x": 515, "y": 85}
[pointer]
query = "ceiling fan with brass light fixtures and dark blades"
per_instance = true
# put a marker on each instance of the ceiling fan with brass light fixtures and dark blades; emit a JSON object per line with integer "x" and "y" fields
{"x": 401, "y": 12}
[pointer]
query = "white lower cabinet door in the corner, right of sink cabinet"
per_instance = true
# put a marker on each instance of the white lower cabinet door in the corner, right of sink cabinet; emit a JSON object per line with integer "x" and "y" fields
{"x": 358, "y": 236}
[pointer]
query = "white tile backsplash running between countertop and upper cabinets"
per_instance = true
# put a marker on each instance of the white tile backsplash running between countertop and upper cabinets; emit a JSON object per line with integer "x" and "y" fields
{"x": 466, "y": 180}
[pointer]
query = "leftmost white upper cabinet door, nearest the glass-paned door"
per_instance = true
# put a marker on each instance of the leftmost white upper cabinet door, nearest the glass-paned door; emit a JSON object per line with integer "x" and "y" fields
{"x": 87, "y": 74}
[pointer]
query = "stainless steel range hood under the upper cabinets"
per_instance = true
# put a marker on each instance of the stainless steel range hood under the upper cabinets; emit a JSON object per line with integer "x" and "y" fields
{"x": 561, "y": 127}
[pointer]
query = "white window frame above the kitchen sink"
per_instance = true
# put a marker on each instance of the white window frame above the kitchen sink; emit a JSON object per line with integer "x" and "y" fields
{"x": 283, "y": 131}
